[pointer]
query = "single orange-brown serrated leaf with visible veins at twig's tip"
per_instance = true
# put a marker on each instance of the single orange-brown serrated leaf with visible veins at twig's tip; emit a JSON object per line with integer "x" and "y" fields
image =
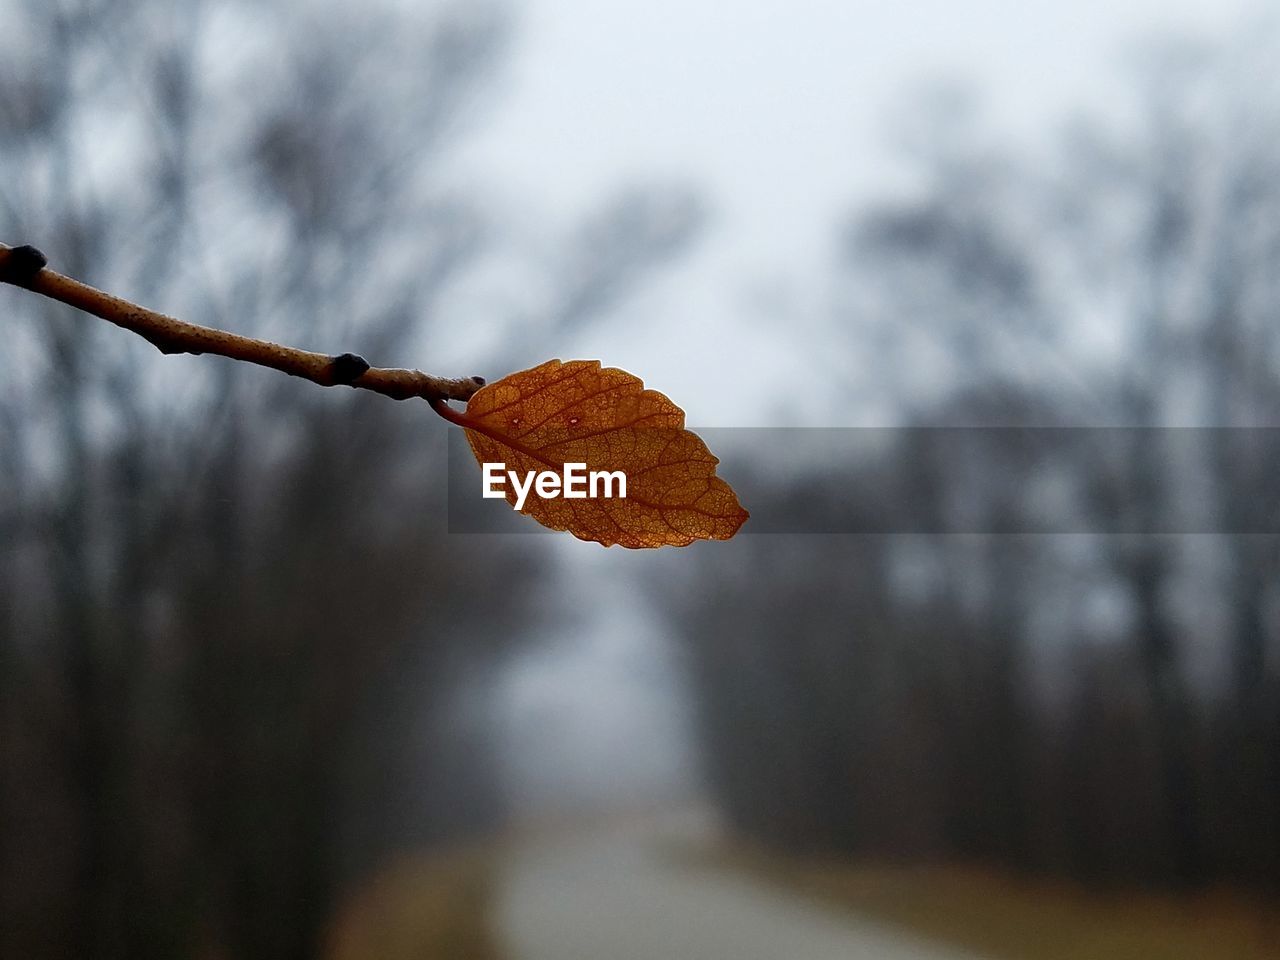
{"x": 578, "y": 413}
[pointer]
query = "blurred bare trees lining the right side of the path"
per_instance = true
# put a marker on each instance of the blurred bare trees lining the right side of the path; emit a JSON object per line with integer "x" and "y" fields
{"x": 957, "y": 696}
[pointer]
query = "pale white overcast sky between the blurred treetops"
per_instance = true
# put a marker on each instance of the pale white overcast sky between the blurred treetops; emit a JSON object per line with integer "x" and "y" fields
{"x": 778, "y": 111}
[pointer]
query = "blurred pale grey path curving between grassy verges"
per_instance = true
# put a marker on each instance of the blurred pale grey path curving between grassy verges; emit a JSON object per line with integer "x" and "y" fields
{"x": 619, "y": 897}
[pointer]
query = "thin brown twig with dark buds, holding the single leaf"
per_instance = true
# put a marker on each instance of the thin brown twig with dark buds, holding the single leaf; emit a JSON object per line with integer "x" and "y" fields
{"x": 25, "y": 267}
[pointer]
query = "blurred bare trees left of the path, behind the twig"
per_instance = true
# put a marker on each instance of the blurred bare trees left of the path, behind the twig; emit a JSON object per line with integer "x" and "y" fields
{"x": 234, "y": 655}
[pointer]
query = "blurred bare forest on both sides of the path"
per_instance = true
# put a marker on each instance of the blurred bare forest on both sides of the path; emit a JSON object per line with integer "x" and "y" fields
{"x": 244, "y": 666}
